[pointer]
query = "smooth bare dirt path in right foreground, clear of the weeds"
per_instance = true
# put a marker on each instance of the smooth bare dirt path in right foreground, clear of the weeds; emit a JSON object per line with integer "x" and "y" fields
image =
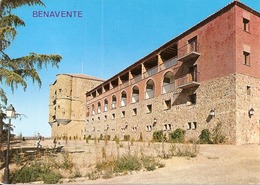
{"x": 218, "y": 164}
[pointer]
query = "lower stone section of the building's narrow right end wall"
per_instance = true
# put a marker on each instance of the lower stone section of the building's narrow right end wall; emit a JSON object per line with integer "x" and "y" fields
{"x": 247, "y": 97}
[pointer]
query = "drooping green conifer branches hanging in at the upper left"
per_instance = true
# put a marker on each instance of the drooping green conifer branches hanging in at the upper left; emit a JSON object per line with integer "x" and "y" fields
{"x": 15, "y": 71}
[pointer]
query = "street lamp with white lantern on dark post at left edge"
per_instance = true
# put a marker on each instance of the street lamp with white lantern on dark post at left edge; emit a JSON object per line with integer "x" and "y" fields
{"x": 10, "y": 113}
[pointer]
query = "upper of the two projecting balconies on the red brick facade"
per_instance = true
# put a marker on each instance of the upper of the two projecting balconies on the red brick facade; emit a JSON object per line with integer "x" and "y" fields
{"x": 189, "y": 52}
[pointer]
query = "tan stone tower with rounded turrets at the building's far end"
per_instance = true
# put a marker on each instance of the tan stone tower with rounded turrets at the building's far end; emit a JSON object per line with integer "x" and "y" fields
{"x": 67, "y": 106}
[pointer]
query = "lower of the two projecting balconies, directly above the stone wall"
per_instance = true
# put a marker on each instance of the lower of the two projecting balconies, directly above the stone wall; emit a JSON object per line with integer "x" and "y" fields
{"x": 187, "y": 81}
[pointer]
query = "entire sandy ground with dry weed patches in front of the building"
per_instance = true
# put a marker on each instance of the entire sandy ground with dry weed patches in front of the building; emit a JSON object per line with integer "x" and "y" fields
{"x": 117, "y": 162}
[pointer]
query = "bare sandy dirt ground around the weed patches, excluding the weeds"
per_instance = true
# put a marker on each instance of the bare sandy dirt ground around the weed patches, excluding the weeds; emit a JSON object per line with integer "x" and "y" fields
{"x": 214, "y": 164}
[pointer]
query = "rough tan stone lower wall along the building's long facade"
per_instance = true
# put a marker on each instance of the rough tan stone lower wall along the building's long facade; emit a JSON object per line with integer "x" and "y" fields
{"x": 218, "y": 95}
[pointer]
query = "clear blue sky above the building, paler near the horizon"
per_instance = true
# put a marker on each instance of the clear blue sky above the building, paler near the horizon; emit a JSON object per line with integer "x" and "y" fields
{"x": 110, "y": 36}
